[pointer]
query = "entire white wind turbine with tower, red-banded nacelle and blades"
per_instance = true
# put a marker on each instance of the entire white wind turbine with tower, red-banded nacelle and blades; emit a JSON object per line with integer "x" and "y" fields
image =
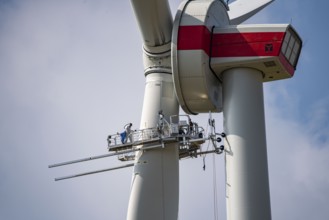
{"x": 205, "y": 61}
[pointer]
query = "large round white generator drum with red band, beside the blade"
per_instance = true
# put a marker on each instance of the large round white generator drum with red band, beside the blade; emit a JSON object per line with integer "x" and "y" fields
{"x": 197, "y": 87}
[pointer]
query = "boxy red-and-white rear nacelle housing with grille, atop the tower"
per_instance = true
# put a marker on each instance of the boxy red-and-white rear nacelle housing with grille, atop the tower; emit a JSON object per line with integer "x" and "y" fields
{"x": 272, "y": 49}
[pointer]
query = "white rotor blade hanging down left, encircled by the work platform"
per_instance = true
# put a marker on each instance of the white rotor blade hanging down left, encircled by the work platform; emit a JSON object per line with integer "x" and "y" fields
{"x": 154, "y": 189}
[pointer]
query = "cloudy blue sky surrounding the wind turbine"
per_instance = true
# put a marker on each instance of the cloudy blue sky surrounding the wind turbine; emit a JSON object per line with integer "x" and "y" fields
{"x": 71, "y": 72}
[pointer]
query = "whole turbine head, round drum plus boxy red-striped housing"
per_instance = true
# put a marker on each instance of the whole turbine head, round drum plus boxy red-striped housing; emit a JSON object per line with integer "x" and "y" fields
{"x": 205, "y": 44}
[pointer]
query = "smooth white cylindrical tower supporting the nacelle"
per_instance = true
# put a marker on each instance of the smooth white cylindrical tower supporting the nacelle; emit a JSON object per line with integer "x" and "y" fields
{"x": 247, "y": 184}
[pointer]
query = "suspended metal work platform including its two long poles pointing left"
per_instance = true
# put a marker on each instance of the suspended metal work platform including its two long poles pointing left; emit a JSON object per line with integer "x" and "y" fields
{"x": 180, "y": 129}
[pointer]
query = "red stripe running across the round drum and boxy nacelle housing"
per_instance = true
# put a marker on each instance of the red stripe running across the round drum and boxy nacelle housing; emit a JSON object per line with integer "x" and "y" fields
{"x": 229, "y": 44}
